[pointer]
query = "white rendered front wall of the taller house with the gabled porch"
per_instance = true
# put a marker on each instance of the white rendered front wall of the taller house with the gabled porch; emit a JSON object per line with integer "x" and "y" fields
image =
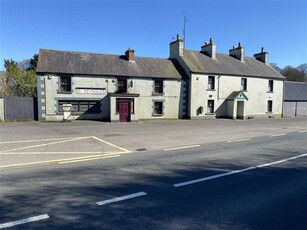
{"x": 257, "y": 93}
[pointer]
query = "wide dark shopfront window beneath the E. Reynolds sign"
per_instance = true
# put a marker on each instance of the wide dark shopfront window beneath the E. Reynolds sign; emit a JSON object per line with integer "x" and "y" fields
{"x": 81, "y": 106}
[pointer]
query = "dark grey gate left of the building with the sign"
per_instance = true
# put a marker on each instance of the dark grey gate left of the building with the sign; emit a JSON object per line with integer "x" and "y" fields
{"x": 20, "y": 108}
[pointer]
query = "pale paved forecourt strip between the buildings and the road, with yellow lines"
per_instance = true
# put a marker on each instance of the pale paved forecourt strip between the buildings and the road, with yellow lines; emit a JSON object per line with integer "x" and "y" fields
{"x": 39, "y": 143}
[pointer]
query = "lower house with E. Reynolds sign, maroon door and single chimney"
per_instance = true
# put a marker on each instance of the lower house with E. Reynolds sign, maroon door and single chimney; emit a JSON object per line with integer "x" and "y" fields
{"x": 109, "y": 87}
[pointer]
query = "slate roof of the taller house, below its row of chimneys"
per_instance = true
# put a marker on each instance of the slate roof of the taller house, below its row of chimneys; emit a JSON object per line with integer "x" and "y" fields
{"x": 227, "y": 65}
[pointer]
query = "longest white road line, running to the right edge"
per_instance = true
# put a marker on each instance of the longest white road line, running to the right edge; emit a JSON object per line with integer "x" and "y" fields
{"x": 238, "y": 171}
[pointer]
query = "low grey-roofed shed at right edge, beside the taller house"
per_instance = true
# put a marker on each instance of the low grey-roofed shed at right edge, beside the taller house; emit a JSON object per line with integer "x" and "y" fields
{"x": 295, "y": 99}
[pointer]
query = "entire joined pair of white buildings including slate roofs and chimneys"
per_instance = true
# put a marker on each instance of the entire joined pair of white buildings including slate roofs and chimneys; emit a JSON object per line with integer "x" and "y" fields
{"x": 190, "y": 84}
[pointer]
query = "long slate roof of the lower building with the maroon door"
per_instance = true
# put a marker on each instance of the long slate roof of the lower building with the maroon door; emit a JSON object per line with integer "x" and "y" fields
{"x": 68, "y": 62}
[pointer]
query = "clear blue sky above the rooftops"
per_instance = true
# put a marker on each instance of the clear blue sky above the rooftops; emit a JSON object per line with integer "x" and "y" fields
{"x": 148, "y": 26}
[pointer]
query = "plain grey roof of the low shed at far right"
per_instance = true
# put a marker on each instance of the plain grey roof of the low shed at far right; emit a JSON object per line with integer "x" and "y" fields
{"x": 295, "y": 91}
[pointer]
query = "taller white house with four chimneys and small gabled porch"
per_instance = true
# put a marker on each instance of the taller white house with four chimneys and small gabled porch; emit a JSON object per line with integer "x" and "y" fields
{"x": 229, "y": 85}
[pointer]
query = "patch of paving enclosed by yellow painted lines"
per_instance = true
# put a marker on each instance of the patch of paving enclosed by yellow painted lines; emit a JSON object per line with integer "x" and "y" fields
{"x": 61, "y": 150}
